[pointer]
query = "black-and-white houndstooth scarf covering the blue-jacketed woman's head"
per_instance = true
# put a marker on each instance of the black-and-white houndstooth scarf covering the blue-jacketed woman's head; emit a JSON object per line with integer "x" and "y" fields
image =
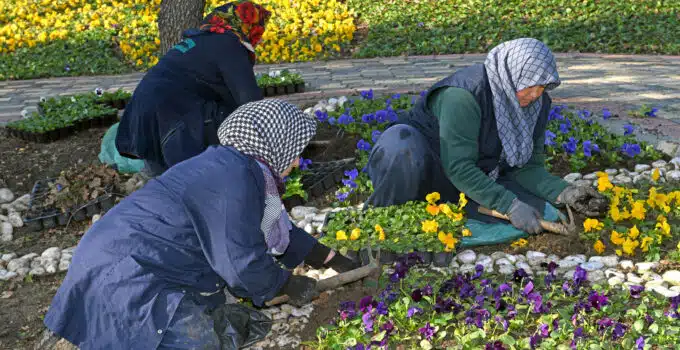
{"x": 272, "y": 130}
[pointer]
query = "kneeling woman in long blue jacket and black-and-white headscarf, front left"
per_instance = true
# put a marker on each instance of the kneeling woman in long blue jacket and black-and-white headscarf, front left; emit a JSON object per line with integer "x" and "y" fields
{"x": 149, "y": 273}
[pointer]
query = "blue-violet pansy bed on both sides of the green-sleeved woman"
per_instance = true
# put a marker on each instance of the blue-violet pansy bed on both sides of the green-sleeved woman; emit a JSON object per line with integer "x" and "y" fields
{"x": 574, "y": 139}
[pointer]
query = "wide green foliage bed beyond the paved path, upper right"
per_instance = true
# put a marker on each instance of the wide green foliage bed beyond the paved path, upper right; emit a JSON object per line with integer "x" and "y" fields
{"x": 451, "y": 26}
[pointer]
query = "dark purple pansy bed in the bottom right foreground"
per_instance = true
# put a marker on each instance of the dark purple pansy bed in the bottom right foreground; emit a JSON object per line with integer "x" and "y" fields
{"x": 470, "y": 310}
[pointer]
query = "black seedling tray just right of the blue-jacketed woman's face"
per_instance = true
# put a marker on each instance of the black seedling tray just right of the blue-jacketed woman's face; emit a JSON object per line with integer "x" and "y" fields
{"x": 313, "y": 180}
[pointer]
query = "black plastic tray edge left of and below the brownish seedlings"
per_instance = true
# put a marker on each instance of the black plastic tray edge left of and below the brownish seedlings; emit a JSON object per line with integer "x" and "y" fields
{"x": 42, "y": 217}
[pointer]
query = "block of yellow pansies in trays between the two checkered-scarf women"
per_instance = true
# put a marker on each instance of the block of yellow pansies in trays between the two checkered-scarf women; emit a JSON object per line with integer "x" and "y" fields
{"x": 429, "y": 229}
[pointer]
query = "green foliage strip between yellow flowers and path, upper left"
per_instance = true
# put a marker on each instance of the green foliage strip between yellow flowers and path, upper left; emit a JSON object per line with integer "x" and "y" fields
{"x": 90, "y": 53}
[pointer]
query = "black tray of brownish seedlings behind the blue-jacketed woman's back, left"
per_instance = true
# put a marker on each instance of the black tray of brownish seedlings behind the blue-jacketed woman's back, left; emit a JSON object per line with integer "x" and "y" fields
{"x": 76, "y": 194}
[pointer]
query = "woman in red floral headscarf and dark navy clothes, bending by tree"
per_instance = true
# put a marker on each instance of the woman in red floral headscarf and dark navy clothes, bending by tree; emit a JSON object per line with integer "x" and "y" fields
{"x": 176, "y": 109}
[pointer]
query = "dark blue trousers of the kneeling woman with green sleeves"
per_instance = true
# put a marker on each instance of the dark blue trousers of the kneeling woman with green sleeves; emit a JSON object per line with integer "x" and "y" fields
{"x": 403, "y": 167}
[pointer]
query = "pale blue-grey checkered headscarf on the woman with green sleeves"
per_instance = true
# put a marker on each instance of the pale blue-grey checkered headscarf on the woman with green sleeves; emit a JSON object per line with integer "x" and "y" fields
{"x": 511, "y": 67}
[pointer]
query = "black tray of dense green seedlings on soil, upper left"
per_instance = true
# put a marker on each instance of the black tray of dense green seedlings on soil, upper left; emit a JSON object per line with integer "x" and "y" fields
{"x": 61, "y": 117}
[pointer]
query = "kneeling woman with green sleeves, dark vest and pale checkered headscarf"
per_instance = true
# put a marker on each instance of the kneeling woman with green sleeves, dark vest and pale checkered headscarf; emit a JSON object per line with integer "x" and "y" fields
{"x": 481, "y": 132}
